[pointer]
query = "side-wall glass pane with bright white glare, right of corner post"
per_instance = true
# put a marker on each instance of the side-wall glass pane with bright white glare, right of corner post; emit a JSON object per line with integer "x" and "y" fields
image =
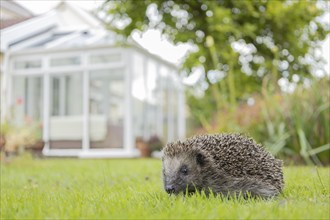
{"x": 147, "y": 100}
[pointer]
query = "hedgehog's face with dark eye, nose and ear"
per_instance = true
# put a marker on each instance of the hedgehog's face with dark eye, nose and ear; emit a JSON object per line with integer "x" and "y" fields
{"x": 182, "y": 173}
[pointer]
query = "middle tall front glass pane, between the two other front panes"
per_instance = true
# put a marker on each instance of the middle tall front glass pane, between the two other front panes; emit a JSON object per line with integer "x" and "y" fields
{"x": 66, "y": 119}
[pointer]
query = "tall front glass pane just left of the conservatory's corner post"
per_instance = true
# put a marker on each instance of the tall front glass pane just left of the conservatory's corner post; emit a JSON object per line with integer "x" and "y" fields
{"x": 106, "y": 108}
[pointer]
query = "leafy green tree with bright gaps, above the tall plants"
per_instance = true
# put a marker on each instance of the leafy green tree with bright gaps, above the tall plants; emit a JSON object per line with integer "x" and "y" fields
{"x": 239, "y": 42}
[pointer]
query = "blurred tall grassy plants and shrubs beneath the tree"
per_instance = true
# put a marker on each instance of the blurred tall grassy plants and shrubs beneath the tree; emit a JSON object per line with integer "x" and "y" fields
{"x": 293, "y": 126}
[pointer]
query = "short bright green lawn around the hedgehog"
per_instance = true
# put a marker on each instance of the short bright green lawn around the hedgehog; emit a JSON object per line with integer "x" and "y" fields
{"x": 124, "y": 189}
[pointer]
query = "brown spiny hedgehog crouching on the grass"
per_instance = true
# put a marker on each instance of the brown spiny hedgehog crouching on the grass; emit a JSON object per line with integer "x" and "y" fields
{"x": 225, "y": 164}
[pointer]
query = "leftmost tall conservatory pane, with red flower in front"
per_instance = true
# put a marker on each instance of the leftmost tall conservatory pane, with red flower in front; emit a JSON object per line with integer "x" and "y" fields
{"x": 28, "y": 104}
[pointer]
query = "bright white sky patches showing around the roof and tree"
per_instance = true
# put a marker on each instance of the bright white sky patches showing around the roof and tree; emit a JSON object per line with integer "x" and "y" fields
{"x": 151, "y": 40}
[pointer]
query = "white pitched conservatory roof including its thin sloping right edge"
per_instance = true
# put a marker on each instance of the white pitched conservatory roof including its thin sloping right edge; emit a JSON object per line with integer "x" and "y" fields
{"x": 66, "y": 27}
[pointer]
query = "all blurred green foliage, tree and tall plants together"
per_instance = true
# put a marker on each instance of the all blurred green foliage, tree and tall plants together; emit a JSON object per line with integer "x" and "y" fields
{"x": 250, "y": 43}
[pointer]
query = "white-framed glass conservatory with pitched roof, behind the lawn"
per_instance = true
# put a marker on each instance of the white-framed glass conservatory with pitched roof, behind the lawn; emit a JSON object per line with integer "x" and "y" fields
{"x": 93, "y": 97}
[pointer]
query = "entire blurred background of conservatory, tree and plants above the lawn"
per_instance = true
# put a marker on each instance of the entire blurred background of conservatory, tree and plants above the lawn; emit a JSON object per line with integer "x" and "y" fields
{"x": 122, "y": 78}
